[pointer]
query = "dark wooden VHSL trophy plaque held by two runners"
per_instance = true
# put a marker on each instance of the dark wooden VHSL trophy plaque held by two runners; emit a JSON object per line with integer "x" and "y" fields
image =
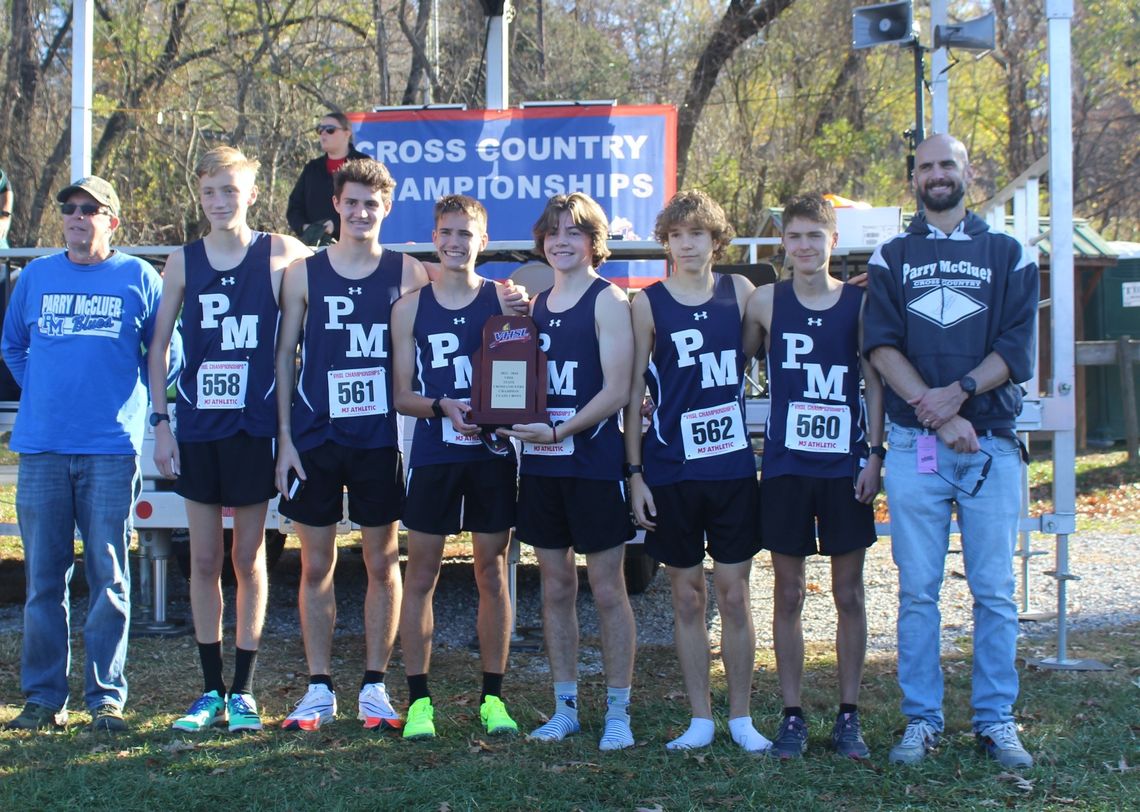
{"x": 510, "y": 375}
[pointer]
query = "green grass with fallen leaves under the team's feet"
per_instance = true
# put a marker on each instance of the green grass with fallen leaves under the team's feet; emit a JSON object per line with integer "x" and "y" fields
{"x": 1082, "y": 729}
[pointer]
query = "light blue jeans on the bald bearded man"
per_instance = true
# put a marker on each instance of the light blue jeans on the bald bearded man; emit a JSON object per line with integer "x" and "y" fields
{"x": 921, "y": 513}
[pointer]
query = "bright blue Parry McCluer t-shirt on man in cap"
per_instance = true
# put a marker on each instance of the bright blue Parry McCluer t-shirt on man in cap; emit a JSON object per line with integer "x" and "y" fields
{"x": 76, "y": 339}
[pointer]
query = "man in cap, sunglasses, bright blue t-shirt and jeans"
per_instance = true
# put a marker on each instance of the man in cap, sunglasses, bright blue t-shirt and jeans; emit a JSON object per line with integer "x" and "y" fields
{"x": 75, "y": 339}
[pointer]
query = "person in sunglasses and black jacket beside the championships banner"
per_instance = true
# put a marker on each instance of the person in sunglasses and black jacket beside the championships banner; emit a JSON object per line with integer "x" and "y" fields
{"x": 311, "y": 212}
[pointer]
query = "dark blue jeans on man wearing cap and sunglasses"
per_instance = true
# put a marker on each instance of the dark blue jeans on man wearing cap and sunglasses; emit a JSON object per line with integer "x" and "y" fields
{"x": 58, "y": 493}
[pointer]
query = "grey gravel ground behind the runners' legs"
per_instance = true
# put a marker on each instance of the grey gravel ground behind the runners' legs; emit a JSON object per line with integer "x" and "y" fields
{"x": 1105, "y": 596}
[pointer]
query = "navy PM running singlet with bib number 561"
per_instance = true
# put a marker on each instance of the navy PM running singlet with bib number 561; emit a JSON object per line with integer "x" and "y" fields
{"x": 345, "y": 393}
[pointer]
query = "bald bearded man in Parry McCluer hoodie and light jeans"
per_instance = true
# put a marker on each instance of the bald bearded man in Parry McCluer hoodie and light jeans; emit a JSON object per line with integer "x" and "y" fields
{"x": 950, "y": 324}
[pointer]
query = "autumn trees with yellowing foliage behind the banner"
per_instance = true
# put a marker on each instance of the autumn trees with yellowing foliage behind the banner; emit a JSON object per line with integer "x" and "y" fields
{"x": 771, "y": 98}
